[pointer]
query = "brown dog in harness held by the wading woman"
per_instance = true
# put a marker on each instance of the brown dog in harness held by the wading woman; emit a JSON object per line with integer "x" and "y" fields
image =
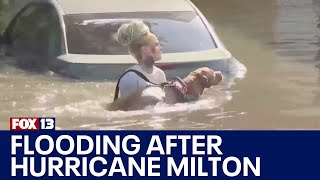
{"x": 176, "y": 91}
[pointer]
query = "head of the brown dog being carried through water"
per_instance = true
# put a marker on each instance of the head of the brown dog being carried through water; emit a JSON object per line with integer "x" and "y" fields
{"x": 202, "y": 78}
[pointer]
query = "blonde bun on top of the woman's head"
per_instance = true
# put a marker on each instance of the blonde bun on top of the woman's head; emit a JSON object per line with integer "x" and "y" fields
{"x": 131, "y": 31}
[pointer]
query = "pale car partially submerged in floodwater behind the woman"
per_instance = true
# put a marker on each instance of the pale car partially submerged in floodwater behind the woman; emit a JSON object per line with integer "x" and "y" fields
{"x": 78, "y": 38}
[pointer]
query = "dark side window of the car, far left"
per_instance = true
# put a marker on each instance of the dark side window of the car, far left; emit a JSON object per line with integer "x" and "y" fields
{"x": 35, "y": 31}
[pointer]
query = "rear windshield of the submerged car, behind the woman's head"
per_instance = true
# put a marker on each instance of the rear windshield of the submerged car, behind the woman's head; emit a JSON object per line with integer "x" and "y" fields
{"x": 97, "y": 33}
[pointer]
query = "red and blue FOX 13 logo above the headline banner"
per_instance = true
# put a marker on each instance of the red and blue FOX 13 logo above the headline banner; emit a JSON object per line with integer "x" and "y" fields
{"x": 32, "y": 123}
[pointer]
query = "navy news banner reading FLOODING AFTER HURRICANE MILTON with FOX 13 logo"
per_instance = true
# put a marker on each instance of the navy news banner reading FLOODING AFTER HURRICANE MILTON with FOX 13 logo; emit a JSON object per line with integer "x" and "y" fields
{"x": 32, "y": 148}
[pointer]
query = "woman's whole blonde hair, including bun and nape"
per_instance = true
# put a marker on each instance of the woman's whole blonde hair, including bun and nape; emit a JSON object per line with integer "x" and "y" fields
{"x": 134, "y": 35}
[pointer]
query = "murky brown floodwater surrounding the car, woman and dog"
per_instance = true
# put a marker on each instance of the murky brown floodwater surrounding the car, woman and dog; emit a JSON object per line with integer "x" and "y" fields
{"x": 277, "y": 40}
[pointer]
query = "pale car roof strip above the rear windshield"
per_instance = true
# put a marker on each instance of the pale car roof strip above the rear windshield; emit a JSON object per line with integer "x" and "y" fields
{"x": 105, "y": 6}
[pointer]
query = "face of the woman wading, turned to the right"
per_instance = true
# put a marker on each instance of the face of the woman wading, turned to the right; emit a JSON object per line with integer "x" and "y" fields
{"x": 153, "y": 48}
